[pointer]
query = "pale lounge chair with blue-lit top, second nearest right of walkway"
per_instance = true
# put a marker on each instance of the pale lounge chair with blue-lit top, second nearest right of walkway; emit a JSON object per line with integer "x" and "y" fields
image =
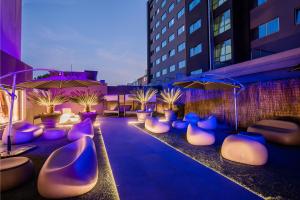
{"x": 198, "y": 136}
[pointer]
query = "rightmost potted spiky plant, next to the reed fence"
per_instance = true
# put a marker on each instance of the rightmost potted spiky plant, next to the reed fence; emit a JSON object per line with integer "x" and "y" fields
{"x": 170, "y": 96}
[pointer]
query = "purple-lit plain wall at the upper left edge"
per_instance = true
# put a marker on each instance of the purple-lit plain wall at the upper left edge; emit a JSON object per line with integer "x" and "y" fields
{"x": 10, "y": 27}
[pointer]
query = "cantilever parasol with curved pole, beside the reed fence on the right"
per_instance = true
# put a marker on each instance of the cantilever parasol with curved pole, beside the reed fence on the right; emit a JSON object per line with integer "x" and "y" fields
{"x": 208, "y": 83}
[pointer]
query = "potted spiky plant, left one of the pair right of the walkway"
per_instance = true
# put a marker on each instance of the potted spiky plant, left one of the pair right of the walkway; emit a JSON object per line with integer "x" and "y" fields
{"x": 143, "y": 97}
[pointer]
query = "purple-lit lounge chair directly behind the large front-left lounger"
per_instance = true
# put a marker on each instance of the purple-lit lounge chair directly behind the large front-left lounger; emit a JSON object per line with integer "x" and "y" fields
{"x": 84, "y": 128}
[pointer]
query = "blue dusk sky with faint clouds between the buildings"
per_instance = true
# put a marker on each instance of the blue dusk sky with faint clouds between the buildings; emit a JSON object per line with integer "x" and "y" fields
{"x": 108, "y": 36}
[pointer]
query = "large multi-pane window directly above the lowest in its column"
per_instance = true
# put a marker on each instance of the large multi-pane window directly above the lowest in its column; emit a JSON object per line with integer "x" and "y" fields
{"x": 222, "y": 23}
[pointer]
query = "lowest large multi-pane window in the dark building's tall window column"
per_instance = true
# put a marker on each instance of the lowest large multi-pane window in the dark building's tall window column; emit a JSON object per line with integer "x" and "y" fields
{"x": 223, "y": 51}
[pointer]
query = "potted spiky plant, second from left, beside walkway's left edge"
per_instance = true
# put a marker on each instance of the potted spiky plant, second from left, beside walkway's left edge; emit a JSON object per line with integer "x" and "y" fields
{"x": 87, "y": 98}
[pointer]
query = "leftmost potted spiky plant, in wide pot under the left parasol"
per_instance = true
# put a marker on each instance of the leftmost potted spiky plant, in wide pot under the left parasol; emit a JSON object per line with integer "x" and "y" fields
{"x": 50, "y": 99}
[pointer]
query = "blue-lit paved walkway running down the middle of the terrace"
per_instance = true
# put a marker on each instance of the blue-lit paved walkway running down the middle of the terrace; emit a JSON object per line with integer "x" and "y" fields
{"x": 144, "y": 168}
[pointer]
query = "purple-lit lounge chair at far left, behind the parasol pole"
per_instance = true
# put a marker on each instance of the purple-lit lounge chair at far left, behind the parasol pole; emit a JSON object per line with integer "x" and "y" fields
{"x": 21, "y": 132}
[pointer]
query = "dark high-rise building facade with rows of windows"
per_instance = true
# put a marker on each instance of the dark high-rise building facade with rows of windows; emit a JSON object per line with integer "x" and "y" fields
{"x": 187, "y": 37}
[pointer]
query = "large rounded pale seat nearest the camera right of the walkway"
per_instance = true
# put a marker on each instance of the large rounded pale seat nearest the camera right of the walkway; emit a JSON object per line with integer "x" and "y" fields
{"x": 242, "y": 149}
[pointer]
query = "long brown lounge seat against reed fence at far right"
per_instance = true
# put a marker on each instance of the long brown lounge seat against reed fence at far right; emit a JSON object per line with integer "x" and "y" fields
{"x": 278, "y": 131}
